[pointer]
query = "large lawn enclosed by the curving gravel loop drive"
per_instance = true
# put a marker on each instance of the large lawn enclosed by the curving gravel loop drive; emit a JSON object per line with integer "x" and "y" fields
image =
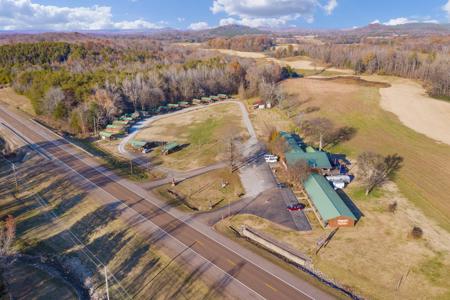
{"x": 204, "y": 133}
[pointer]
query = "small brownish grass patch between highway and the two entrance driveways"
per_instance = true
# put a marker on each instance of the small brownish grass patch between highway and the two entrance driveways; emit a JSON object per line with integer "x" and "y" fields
{"x": 205, "y": 190}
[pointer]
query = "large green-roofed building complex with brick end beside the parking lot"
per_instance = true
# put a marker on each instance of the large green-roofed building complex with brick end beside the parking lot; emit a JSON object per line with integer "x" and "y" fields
{"x": 332, "y": 208}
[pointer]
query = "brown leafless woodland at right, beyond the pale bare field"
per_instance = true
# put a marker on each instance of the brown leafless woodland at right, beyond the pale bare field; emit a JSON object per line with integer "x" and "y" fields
{"x": 426, "y": 58}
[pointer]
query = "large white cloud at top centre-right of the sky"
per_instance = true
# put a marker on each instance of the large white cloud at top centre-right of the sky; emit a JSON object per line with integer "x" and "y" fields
{"x": 269, "y": 12}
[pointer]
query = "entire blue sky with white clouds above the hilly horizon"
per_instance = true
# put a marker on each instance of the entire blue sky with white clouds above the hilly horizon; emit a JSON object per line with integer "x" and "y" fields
{"x": 72, "y": 15}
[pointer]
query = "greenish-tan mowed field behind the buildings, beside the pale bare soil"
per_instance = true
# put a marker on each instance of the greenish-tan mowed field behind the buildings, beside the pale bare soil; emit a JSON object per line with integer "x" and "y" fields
{"x": 425, "y": 176}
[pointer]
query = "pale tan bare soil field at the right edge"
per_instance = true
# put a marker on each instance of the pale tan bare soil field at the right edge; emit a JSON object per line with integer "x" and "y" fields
{"x": 415, "y": 109}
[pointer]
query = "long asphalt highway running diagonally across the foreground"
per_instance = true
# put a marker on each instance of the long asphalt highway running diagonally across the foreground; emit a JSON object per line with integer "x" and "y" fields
{"x": 259, "y": 277}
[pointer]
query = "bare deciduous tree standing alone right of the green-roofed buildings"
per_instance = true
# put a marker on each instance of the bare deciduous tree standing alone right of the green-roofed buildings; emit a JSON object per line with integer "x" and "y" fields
{"x": 374, "y": 169}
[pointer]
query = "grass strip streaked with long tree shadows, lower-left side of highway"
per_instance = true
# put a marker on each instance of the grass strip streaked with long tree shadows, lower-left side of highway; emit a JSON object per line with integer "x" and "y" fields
{"x": 133, "y": 263}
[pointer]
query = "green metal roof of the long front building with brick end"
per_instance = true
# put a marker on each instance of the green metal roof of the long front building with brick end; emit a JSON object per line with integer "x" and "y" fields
{"x": 326, "y": 200}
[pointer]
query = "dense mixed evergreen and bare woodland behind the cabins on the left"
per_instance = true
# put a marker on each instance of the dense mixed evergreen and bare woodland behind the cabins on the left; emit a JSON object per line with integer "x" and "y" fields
{"x": 87, "y": 84}
